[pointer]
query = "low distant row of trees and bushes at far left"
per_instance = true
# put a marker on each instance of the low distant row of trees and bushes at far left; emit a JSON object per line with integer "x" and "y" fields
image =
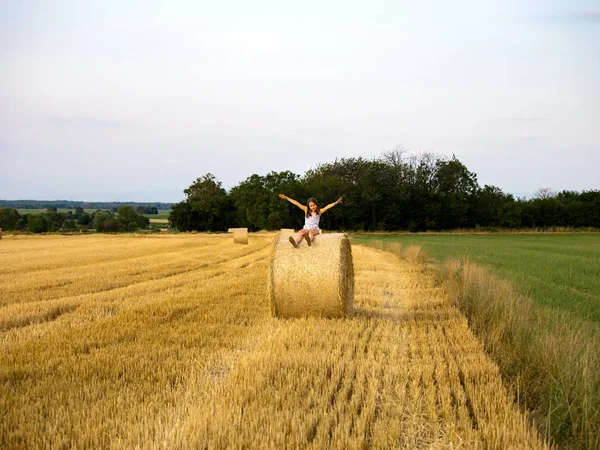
{"x": 124, "y": 218}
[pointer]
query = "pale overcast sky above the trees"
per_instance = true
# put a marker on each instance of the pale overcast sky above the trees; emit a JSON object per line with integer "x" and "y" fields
{"x": 134, "y": 100}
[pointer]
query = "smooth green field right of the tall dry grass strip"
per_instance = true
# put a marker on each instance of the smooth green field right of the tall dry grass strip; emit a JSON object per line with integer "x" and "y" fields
{"x": 556, "y": 270}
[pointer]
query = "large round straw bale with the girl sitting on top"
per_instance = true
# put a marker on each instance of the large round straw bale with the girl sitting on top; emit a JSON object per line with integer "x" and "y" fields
{"x": 312, "y": 281}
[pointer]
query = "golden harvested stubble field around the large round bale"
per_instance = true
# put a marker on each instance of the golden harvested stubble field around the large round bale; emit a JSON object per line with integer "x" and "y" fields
{"x": 167, "y": 342}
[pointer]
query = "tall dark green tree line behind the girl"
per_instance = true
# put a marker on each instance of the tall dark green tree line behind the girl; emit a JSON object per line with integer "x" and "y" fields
{"x": 394, "y": 192}
